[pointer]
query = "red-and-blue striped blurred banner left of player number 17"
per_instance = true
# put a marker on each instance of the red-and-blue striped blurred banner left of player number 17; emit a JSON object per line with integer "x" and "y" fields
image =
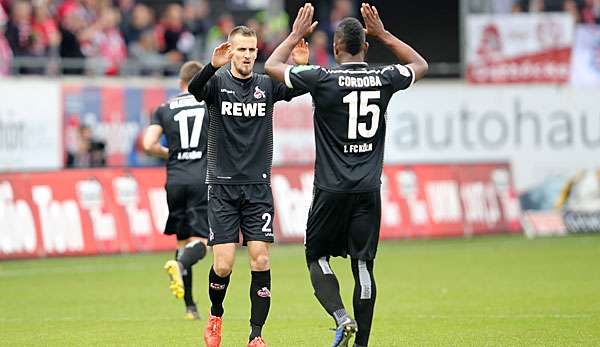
{"x": 117, "y": 116}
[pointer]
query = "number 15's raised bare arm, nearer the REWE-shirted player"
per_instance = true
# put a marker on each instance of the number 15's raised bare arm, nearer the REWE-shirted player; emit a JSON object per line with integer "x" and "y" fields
{"x": 276, "y": 65}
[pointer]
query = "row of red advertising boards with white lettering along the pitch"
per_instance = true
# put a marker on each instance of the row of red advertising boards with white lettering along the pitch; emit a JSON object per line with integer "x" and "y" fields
{"x": 99, "y": 211}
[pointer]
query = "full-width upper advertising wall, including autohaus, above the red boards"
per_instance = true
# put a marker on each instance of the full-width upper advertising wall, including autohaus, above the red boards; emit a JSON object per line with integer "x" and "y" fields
{"x": 540, "y": 130}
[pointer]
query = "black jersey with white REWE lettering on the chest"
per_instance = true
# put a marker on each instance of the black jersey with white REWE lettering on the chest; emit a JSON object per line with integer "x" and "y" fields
{"x": 240, "y": 135}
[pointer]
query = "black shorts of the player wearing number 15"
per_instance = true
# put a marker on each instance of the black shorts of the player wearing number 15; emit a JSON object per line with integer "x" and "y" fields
{"x": 341, "y": 224}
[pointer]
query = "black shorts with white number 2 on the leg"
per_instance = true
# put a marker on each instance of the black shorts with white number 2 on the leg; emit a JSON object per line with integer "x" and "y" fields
{"x": 245, "y": 208}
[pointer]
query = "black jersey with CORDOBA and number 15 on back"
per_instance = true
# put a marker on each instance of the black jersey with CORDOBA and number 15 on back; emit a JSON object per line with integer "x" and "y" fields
{"x": 350, "y": 103}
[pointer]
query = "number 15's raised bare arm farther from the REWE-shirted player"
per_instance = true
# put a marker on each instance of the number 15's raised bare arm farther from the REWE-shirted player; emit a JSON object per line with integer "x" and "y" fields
{"x": 406, "y": 54}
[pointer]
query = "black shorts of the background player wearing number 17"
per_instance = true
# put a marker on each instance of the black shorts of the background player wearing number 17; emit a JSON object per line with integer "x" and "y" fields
{"x": 187, "y": 210}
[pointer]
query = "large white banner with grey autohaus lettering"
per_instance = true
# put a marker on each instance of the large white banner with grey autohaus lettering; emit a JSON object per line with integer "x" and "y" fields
{"x": 540, "y": 130}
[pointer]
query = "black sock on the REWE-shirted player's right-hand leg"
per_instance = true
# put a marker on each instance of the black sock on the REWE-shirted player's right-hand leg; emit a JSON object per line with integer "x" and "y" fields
{"x": 260, "y": 299}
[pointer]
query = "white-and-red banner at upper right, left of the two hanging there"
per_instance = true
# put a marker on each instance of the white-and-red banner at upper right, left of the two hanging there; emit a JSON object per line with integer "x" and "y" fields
{"x": 519, "y": 48}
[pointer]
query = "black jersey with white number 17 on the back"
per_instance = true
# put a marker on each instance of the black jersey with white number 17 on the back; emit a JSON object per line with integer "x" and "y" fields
{"x": 185, "y": 124}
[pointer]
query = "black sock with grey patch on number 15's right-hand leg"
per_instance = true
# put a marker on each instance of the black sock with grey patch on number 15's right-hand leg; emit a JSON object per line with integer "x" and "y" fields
{"x": 365, "y": 292}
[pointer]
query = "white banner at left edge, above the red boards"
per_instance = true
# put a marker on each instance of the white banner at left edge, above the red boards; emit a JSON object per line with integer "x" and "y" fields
{"x": 30, "y": 132}
